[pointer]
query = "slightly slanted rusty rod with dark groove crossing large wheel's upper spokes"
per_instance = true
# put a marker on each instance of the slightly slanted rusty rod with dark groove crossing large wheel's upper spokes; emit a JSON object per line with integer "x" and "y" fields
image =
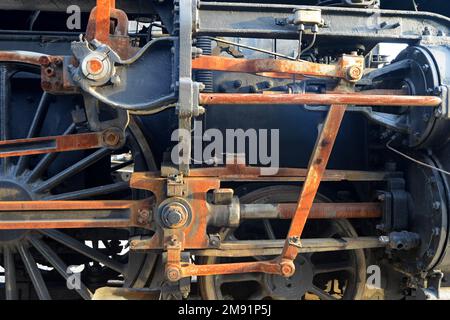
{"x": 42, "y": 145}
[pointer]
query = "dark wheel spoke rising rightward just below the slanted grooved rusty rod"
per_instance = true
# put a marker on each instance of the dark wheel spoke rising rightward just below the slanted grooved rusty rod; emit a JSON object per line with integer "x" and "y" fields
{"x": 72, "y": 170}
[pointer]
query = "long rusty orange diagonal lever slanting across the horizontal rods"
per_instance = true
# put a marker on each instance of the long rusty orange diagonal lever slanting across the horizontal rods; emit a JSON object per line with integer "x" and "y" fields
{"x": 316, "y": 169}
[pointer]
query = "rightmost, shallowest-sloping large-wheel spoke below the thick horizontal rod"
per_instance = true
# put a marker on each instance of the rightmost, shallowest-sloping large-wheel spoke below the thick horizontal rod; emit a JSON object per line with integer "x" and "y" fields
{"x": 84, "y": 249}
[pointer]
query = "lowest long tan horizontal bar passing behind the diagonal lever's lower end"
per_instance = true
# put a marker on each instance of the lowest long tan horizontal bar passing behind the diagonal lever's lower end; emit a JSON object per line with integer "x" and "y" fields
{"x": 249, "y": 248}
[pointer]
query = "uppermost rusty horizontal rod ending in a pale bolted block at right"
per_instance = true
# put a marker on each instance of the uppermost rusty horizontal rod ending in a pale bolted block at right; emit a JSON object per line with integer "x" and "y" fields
{"x": 349, "y": 67}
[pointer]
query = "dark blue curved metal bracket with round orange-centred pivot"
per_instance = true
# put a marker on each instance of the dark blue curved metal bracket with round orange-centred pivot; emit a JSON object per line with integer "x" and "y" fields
{"x": 118, "y": 86}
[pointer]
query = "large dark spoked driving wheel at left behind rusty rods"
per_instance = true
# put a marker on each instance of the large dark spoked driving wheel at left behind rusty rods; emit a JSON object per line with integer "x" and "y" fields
{"x": 35, "y": 264}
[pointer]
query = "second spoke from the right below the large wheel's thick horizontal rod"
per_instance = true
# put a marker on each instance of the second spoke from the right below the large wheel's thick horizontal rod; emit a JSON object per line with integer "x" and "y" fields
{"x": 58, "y": 264}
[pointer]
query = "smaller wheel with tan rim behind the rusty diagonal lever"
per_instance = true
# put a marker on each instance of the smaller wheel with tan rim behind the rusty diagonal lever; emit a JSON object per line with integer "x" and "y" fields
{"x": 322, "y": 275}
